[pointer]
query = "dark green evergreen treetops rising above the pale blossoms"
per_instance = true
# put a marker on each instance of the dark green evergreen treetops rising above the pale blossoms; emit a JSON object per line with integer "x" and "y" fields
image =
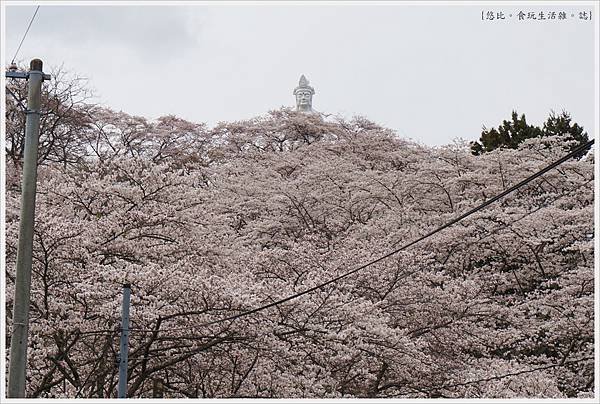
{"x": 510, "y": 134}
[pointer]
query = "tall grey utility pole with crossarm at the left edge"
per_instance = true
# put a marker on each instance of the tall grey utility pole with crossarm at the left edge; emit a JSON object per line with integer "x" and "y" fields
{"x": 20, "y": 326}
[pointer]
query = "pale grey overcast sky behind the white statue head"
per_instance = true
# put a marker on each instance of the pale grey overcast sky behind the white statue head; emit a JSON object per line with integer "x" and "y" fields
{"x": 430, "y": 72}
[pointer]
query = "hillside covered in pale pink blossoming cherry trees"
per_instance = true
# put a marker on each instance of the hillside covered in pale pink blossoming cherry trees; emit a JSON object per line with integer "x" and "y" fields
{"x": 206, "y": 223}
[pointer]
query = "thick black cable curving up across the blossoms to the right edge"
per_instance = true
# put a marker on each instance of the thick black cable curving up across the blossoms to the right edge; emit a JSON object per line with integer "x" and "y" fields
{"x": 573, "y": 153}
